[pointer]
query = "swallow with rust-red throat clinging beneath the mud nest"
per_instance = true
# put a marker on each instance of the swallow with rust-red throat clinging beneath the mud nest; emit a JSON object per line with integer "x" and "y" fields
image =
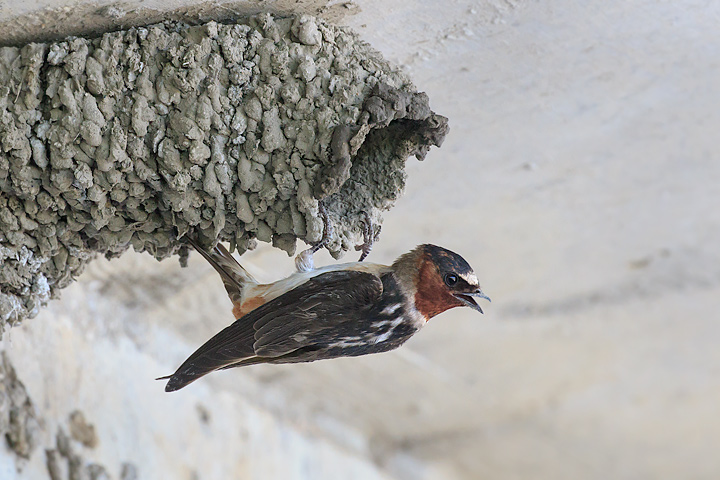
{"x": 340, "y": 310}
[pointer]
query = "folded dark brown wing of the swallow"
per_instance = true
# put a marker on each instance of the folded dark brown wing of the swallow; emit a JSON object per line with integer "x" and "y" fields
{"x": 306, "y": 315}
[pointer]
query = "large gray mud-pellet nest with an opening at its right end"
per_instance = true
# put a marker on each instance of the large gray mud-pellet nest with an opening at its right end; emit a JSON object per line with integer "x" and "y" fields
{"x": 229, "y": 132}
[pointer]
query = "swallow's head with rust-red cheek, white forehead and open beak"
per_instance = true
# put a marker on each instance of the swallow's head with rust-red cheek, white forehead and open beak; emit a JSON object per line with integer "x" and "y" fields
{"x": 443, "y": 280}
